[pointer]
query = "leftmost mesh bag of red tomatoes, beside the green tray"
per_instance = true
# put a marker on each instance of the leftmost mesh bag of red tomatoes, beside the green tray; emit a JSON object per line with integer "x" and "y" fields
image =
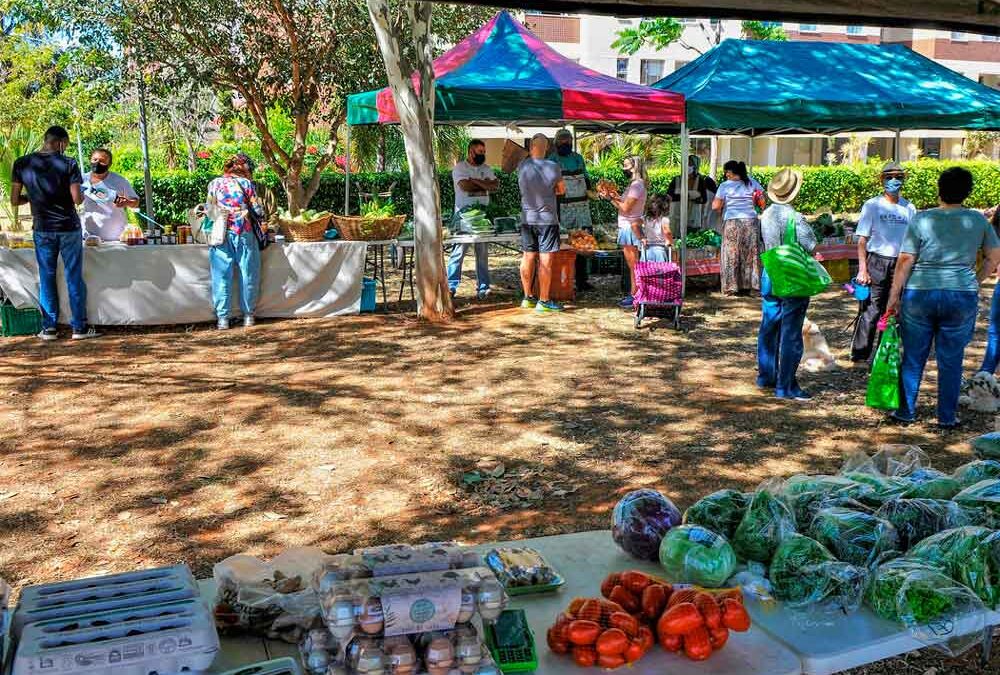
{"x": 598, "y": 632}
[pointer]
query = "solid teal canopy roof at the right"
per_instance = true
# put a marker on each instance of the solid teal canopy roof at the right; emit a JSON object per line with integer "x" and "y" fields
{"x": 753, "y": 86}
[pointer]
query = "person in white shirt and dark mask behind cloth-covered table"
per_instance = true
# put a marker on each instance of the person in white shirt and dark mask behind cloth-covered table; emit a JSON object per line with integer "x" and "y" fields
{"x": 106, "y": 196}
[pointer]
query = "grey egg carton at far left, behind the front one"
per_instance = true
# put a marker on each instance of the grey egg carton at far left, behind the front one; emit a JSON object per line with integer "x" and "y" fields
{"x": 98, "y": 594}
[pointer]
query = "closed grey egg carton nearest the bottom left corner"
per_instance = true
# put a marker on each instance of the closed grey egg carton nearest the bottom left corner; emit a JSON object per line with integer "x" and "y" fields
{"x": 169, "y": 638}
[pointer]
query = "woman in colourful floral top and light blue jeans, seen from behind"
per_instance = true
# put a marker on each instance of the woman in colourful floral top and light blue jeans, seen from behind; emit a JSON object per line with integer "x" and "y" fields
{"x": 235, "y": 192}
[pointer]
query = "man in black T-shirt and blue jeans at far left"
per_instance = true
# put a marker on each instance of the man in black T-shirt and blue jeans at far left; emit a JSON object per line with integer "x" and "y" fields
{"x": 52, "y": 182}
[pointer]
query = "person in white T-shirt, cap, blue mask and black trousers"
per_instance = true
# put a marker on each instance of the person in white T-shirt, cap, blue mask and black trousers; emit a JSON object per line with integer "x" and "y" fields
{"x": 883, "y": 224}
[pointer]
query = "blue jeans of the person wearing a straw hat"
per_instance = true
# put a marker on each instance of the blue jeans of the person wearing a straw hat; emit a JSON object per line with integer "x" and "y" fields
{"x": 779, "y": 342}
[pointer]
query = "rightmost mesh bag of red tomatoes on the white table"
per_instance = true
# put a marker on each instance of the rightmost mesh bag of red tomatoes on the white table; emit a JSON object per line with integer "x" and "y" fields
{"x": 698, "y": 622}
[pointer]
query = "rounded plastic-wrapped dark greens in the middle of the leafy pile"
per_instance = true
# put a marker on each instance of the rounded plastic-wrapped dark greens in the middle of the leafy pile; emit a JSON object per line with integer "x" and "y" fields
{"x": 854, "y": 537}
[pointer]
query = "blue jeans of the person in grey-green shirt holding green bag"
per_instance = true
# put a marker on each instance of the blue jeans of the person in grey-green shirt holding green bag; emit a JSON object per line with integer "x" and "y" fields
{"x": 948, "y": 319}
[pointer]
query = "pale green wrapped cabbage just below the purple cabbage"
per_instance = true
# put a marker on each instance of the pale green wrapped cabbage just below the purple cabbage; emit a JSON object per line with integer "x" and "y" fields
{"x": 696, "y": 555}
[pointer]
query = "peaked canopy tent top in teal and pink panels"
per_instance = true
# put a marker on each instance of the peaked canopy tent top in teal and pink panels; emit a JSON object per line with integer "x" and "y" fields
{"x": 504, "y": 74}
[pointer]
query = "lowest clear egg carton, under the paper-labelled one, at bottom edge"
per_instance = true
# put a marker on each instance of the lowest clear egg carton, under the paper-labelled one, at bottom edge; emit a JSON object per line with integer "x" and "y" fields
{"x": 458, "y": 651}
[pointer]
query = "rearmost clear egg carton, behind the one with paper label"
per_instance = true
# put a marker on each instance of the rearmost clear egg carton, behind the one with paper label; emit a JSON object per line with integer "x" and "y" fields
{"x": 395, "y": 559}
